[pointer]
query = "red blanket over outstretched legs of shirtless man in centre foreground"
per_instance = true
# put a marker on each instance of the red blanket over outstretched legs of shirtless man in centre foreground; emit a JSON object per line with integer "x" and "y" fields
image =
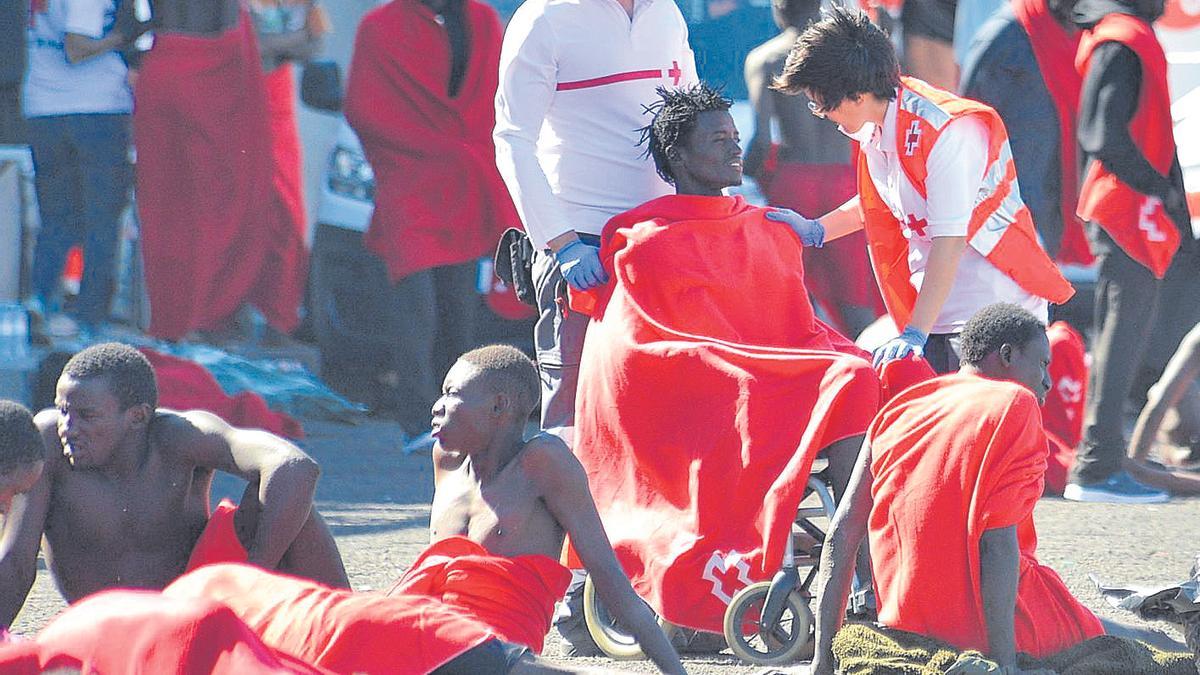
{"x": 337, "y": 630}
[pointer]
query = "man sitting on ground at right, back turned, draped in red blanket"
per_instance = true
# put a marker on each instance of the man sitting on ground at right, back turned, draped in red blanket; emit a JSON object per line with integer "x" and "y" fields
{"x": 945, "y": 491}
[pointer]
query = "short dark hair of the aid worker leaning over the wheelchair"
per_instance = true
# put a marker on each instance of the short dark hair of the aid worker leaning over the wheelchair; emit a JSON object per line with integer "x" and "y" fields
{"x": 842, "y": 57}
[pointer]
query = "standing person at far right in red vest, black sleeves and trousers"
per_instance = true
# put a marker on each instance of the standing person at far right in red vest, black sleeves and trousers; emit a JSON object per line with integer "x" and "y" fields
{"x": 1133, "y": 199}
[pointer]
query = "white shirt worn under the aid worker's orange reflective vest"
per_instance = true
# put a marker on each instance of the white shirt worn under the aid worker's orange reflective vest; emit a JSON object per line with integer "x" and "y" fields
{"x": 956, "y": 168}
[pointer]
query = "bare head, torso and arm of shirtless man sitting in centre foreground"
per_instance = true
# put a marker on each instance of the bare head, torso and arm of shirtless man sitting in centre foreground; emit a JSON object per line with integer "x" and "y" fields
{"x": 519, "y": 498}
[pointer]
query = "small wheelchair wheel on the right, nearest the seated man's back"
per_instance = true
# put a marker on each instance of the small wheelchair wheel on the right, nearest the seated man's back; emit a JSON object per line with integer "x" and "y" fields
{"x": 767, "y": 646}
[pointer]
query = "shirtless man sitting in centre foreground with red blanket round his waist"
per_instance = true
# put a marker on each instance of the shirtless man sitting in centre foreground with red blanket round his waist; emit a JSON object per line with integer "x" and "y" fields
{"x": 503, "y": 505}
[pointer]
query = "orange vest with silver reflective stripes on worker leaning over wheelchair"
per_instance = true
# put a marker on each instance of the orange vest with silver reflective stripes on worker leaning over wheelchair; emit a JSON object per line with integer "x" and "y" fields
{"x": 1001, "y": 228}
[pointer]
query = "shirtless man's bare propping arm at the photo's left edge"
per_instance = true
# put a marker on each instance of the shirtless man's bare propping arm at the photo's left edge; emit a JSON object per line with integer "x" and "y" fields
{"x": 22, "y": 528}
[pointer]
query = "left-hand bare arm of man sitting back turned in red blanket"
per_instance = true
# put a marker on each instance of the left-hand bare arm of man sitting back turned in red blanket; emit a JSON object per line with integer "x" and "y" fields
{"x": 837, "y": 570}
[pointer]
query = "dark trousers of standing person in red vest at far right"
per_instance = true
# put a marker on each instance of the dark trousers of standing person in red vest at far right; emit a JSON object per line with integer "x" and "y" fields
{"x": 1126, "y": 304}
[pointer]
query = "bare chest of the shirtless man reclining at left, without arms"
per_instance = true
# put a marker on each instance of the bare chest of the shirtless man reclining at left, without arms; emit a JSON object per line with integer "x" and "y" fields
{"x": 137, "y": 531}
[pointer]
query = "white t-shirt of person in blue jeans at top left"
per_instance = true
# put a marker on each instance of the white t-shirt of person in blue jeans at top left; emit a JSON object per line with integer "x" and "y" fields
{"x": 56, "y": 87}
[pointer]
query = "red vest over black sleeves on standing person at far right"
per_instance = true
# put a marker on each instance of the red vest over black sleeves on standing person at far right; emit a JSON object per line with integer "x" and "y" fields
{"x": 1136, "y": 222}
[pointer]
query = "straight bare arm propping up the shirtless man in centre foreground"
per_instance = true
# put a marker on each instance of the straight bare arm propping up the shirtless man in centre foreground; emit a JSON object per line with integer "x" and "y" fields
{"x": 565, "y": 488}
